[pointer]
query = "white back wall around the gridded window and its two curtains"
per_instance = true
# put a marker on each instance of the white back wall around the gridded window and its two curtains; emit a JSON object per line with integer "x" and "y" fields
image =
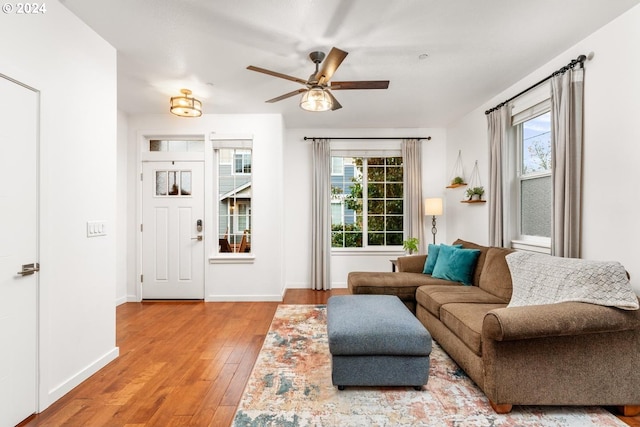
{"x": 297, "y": 209}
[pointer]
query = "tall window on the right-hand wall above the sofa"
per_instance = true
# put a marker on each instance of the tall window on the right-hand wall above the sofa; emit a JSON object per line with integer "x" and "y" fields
{"x": 534, "y": 178}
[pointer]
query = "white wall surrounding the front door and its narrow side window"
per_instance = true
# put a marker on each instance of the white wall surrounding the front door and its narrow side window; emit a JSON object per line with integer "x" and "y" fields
{"x": 262, "y": 280}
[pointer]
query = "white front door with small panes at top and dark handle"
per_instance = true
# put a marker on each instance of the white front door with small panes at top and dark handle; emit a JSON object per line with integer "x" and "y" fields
{"x": 173, "y": 230}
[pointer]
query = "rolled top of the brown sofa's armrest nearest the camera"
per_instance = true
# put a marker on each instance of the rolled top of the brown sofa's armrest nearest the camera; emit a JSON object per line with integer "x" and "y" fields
{"x": 562, "y": 319}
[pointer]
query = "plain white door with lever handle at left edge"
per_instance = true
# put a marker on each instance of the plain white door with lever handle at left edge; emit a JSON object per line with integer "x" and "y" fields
{"x": 18, "y": 247}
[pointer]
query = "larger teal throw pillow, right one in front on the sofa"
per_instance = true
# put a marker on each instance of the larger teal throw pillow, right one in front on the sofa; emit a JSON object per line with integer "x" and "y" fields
{"x": 456, "y": 264}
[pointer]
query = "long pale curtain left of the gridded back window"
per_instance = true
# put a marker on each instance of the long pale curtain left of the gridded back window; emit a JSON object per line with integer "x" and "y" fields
{"x": 321, "y": 215}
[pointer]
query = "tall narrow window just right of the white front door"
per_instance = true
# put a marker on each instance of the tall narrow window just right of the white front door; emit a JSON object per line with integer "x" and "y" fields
{"x": 234, "y": 200}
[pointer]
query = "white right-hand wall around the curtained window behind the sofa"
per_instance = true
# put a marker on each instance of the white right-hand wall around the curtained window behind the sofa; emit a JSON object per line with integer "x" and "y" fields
{"x": 611, "y": 145}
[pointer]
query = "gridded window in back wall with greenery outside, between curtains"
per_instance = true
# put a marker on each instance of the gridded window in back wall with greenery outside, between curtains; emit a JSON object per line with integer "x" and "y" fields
{"x": 366, "y": 202}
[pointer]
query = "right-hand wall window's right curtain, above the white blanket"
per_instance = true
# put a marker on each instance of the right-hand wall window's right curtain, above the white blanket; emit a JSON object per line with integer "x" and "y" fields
{"x": 567, "y": 93}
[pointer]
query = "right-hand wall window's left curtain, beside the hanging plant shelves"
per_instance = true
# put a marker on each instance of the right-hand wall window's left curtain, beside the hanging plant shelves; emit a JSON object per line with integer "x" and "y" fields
{"x": 498, "y": 122}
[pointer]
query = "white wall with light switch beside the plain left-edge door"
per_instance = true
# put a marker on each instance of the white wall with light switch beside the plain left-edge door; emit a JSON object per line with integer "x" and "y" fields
{"x": 75, "y": 71}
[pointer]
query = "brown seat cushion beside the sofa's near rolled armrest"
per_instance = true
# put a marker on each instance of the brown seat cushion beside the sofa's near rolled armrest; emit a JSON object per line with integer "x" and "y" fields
{"x": 465, "y": 321}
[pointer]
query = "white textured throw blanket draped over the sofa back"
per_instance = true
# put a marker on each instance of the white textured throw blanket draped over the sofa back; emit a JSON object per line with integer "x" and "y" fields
{"x": 545, "y": 279}
